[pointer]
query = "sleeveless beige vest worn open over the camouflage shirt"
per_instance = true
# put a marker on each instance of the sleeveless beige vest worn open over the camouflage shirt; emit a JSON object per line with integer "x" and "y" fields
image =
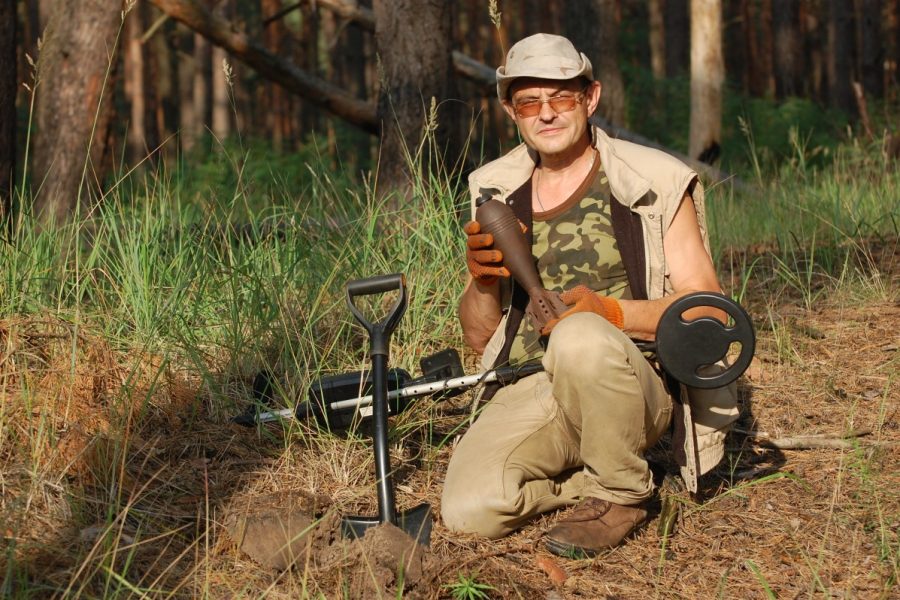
{"x": 651, "y": 184}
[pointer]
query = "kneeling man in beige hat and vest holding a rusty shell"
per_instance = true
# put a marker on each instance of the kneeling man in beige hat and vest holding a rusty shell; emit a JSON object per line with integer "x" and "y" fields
{"x": 619, "y": 230}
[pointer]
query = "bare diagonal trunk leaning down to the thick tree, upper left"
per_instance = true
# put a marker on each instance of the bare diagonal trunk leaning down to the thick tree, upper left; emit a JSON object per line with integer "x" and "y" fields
{"x": 271, "y": 66}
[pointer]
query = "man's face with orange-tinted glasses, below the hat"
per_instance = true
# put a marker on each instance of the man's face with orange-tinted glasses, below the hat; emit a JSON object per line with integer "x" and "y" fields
{"x": 552, "y": 131}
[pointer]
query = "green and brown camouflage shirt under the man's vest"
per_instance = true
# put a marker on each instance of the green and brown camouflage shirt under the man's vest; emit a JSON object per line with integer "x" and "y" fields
{"x": 575, "y": 245}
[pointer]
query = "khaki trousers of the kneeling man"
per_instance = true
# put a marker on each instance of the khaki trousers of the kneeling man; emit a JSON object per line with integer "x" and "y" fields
{"x": 578, "y": 429}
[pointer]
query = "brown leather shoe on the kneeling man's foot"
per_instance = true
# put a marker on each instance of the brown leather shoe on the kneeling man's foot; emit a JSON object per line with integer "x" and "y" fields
{"x": 595, "y": 525}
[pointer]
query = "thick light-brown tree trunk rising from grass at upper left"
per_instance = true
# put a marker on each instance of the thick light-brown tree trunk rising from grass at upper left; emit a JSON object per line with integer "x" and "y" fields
{"x": 72, "y": 110}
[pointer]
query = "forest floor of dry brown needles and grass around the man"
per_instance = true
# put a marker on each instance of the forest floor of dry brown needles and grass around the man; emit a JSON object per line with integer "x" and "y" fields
{"x": 175, "y": 484}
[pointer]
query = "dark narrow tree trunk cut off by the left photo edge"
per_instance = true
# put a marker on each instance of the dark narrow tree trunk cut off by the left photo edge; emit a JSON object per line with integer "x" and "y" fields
{"x": 8, "y": 79}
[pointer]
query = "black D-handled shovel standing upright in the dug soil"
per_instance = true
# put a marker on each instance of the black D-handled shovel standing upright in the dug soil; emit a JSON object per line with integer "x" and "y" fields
{"x": 415, "y": 522}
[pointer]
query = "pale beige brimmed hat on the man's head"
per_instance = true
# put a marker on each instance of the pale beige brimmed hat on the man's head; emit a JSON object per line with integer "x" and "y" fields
{"x": 545, "y": 56}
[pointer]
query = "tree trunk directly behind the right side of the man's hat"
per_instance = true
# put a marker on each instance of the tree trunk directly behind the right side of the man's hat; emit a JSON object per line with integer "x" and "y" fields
{"x": 592, "y": 26}
